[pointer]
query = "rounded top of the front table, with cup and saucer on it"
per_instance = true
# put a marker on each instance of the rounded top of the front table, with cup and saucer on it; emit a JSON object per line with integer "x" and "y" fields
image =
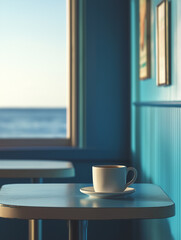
{"x": 65, "y": 201}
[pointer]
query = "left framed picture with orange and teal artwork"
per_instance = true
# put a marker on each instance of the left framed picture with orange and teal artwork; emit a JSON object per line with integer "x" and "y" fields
{"x": 144, "y": 39}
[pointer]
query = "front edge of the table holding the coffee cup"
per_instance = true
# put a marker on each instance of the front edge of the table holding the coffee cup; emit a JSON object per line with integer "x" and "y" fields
{"x": 20, "y": 212}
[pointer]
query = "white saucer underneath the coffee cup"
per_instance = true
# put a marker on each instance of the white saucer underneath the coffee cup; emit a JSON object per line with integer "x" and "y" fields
{"x": 90, "y": 191}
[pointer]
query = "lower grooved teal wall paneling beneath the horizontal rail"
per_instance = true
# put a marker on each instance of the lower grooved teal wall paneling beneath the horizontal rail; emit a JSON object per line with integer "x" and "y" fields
{"x": 158, "y": 161}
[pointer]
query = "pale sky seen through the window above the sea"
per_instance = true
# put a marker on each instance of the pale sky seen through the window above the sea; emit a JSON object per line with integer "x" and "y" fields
{"x": 33, "y": 53}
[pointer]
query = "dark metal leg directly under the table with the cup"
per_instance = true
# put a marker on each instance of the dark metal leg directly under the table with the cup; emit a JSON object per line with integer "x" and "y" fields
{"x": 78, "y": 229}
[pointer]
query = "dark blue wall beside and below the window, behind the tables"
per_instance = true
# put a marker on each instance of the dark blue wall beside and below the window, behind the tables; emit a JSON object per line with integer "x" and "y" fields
{"x": 107, "y": 114}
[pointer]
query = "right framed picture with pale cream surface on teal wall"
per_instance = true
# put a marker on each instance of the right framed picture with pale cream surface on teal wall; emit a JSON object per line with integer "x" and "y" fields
{"x": 162, "y": 44}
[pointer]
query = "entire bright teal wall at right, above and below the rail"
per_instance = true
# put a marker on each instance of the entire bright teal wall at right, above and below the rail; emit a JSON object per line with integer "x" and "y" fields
{"x": 156, "y": 130}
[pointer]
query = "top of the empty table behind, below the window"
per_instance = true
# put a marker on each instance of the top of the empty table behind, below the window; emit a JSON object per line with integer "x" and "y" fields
{"x": 36, "y": 169}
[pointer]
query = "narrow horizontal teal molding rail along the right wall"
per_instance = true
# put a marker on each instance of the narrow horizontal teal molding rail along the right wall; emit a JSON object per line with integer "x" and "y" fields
{"x": 158, "y": 104}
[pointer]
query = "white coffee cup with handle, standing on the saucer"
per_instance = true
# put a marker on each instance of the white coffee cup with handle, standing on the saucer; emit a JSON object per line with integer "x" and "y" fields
{"x": 111, "y": 178}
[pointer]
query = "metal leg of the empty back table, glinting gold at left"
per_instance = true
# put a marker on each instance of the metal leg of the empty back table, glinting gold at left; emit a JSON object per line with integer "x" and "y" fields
{"x": 35, "y": 226}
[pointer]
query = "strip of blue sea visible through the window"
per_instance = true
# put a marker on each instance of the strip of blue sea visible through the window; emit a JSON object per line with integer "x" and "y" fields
{"x": 33, "y": 123}
